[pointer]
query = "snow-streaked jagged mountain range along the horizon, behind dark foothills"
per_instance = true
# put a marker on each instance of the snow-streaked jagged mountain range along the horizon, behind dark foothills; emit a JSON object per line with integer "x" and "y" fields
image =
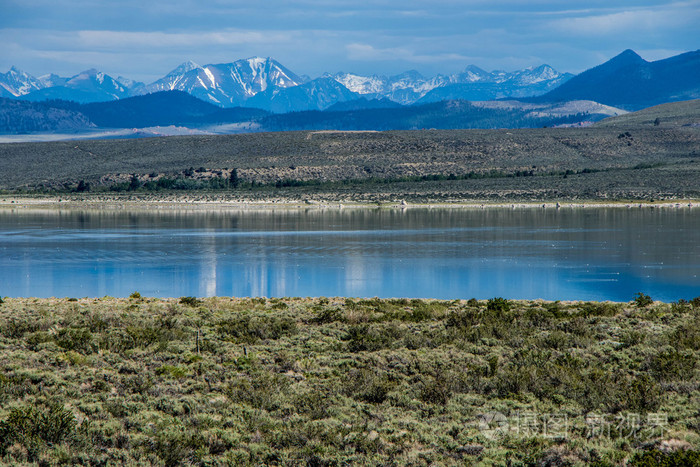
{"x": 265, "y": 83}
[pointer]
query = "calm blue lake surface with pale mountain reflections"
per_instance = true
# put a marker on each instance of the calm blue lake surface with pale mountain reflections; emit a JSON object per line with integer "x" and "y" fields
{"x": 577, "y": 254}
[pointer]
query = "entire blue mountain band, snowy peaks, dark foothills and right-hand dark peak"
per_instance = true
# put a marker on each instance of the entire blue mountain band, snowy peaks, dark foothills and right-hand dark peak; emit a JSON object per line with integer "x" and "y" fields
{"x": 262, "y": 95}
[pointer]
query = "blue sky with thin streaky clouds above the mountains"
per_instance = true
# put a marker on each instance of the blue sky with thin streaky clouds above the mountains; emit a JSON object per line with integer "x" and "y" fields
{"x": 145, "y": 39}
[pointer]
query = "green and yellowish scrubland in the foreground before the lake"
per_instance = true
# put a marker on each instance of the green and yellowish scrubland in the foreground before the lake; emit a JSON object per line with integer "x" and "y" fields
{"x": 348, "y": 381}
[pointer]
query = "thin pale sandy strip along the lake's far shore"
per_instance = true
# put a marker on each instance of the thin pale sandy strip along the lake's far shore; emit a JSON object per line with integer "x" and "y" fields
{"x": 209, "y": 202}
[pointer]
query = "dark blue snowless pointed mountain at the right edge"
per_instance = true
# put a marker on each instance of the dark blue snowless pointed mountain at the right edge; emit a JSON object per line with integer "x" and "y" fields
{"x": 630, "y": 82}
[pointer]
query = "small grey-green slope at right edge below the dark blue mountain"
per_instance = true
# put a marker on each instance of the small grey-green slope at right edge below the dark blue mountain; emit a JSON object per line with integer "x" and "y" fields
{"x": 675, "y": 114}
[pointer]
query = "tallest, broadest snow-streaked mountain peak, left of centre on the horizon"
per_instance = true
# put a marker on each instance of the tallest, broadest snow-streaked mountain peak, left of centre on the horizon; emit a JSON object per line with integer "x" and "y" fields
{"x": 228, "y": 84}
